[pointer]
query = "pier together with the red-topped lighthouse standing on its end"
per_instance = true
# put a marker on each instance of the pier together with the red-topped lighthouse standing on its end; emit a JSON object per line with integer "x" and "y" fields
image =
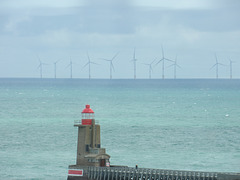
{"x": 93, "y": 163}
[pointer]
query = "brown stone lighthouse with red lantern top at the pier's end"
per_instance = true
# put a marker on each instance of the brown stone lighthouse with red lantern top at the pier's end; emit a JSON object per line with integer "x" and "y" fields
{"x": 89, "y": 151}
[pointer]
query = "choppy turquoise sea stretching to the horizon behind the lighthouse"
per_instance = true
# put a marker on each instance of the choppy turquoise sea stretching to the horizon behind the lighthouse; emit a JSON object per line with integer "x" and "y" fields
{"x": 183, "y": 124}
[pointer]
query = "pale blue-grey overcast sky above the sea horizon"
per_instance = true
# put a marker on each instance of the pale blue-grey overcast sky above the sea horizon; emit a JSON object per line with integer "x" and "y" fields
{"x": 193, "y": 32}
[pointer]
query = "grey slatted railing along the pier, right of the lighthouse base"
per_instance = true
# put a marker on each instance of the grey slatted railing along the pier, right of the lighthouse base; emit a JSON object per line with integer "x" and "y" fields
{"x": 127, "y": 173}
